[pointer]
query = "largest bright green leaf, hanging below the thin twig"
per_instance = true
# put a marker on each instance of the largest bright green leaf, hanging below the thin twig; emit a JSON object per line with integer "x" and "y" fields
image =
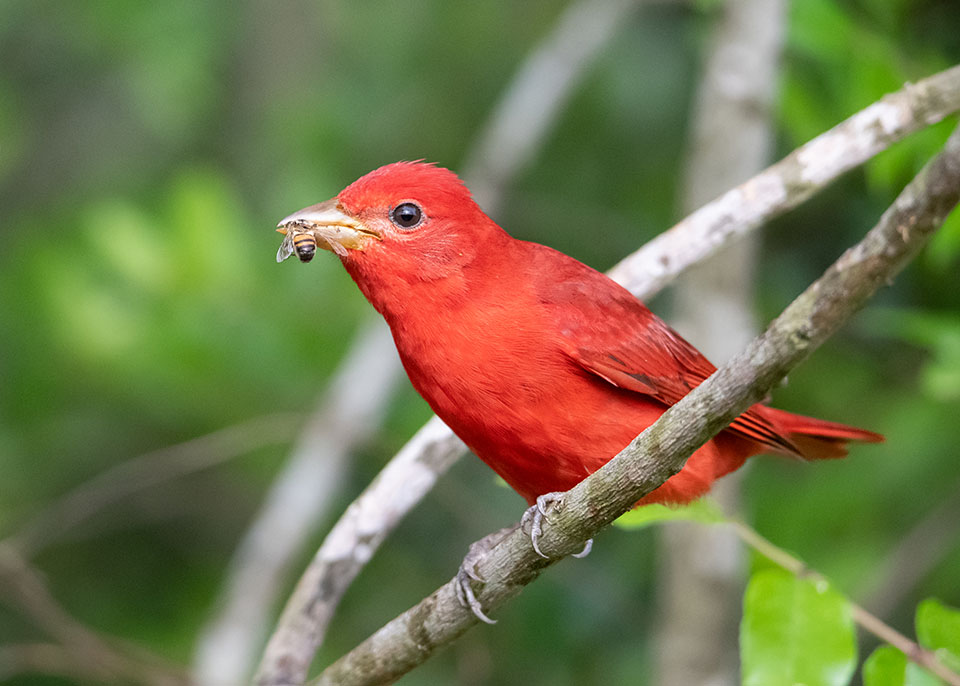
{"x": 795, "y": 631}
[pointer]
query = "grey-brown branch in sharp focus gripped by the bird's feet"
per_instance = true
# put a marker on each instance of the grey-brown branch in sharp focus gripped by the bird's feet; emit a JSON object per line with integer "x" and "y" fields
{"x": 660, "y": 451}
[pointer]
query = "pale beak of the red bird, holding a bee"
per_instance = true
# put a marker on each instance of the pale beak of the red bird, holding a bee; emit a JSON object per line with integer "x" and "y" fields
{"x": 332, "y": 228}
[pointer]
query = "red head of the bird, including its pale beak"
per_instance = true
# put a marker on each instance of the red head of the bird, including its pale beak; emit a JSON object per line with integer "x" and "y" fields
{"x": 403, "y": 224}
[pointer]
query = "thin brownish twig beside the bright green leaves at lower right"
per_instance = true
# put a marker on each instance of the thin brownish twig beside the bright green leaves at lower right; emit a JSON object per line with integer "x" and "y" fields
{"x": 913, "y": 650}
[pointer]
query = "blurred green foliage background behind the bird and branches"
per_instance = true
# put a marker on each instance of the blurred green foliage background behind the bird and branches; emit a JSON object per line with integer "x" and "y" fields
{"x": 147, "y": 151}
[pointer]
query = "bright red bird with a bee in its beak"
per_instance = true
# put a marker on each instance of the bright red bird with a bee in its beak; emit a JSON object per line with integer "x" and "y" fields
{"x": 545, "y": 367}
